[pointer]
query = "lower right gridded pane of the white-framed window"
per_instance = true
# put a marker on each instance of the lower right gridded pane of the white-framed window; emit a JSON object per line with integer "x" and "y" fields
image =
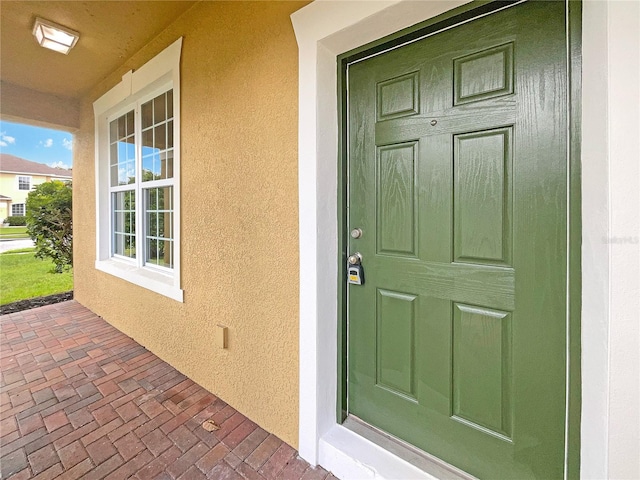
{"x": 159, "y": 226}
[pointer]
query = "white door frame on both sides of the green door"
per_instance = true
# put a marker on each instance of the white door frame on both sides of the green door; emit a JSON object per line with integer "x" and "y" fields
{"x": 327, "y": 28}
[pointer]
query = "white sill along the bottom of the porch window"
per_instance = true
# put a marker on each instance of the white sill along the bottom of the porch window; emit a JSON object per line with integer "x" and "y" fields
{"x": 143, "y": 277}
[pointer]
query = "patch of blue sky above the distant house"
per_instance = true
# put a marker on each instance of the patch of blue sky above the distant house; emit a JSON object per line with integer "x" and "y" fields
{"x": 42, "y": 145}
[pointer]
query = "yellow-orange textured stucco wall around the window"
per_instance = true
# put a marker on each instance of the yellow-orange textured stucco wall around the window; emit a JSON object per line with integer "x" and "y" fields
{"x": 239, "y": 213}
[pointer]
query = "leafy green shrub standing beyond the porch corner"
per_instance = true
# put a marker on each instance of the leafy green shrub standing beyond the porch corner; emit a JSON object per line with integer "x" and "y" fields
{"x": 49, "y": 222}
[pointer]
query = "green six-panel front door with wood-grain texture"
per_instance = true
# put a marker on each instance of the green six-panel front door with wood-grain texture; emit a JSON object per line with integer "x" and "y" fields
{"x": 457, "y": 151}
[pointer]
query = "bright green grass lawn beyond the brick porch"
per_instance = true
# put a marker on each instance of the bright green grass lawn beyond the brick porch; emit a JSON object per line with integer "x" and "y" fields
{"x": 23, "y": 276}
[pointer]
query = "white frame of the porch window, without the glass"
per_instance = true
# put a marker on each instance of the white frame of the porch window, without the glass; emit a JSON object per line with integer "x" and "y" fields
{"x": 155, "y": 77}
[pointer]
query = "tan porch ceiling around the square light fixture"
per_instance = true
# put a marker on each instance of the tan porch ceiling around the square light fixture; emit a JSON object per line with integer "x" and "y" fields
{"x": 110, "y": 33}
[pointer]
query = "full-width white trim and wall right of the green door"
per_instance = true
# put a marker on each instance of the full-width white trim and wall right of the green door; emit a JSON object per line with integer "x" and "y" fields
{"x": 611, "y": 233}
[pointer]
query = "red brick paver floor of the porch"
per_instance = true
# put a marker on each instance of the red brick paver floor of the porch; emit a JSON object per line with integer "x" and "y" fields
{"x": 79, "y": 399}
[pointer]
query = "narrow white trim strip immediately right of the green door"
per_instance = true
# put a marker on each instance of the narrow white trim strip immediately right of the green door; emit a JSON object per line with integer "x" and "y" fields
{"x": 595, "y": 252}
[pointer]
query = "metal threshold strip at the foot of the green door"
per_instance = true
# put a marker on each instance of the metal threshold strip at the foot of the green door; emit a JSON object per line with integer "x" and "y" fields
{"x": 429, "y": 464}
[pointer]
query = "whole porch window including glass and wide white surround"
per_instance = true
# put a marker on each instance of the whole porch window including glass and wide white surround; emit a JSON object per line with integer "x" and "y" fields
{"x": 137, "y": 216}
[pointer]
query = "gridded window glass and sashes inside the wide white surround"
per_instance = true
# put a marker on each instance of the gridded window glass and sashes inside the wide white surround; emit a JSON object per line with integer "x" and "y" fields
{"x": 141, "y": 166}
